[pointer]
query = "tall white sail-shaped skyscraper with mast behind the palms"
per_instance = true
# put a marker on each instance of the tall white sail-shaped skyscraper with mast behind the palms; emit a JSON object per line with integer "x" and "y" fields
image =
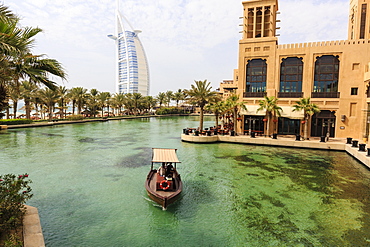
{"x": 132, "y": 66}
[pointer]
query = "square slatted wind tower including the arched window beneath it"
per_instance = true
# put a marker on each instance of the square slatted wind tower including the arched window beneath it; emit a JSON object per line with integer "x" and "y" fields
{"x": 257, "y": 48}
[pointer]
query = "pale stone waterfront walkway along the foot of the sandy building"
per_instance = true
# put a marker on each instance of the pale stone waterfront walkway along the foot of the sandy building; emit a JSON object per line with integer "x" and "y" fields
{"x": 336, "y": 144}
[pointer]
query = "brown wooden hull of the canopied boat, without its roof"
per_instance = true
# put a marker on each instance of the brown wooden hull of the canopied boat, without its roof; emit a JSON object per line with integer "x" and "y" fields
{"x": 163, "y": 198}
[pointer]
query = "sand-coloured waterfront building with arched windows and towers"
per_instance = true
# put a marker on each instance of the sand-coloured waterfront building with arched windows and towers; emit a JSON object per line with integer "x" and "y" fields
{"x": 334, "y": 74}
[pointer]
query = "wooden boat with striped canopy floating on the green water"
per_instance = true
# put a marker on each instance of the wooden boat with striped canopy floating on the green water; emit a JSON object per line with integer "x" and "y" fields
{"x": 164, "y": 184}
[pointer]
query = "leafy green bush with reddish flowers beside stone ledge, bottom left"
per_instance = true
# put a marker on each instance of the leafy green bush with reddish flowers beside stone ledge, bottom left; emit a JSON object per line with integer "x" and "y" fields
{"x": 14, "y": 192}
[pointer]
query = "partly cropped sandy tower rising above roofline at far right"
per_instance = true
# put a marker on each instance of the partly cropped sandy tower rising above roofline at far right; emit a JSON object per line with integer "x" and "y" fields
{"x": 359, "y": 20}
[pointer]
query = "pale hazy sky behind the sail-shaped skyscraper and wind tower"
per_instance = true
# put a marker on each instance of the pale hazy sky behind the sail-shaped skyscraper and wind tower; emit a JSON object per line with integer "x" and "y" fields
{"x": 184, "y": 40}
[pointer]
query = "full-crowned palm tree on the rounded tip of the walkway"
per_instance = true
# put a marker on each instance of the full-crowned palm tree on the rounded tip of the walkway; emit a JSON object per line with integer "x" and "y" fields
{"x": 200, "y": 94}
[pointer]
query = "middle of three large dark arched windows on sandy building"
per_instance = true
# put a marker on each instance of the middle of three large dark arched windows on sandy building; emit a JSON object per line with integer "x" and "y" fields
{"x": 291, "y": 70}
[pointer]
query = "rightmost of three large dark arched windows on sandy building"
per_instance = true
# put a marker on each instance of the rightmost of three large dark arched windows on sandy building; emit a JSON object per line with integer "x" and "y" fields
{"x": 326, "y": 74}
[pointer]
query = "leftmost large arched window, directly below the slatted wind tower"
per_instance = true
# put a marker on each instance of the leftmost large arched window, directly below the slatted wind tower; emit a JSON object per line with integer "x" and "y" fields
{"x": 256, "y": 78}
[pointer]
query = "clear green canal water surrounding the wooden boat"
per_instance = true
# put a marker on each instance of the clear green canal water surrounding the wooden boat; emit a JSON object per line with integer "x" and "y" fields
{"x": 88, "y": 185}
